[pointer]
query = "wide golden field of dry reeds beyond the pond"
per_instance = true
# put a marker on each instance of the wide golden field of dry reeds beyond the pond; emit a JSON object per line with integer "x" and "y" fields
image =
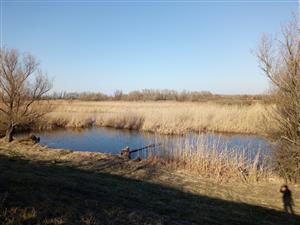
{"x": 159, "y": 117}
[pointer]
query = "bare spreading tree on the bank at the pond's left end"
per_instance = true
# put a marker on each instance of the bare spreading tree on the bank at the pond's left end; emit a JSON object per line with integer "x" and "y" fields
{"x": 22, "y": 85}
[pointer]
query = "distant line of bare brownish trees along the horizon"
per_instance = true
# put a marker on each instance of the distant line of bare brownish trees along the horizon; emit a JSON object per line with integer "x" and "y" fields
{"x": 160, "y": 95}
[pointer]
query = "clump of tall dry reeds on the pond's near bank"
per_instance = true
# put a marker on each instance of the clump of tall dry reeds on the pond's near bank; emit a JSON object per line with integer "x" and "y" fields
{"x": 212, "y": 159}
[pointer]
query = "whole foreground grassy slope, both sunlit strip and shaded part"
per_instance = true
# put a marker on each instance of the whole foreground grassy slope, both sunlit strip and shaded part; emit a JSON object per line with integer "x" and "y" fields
{"x": 42, "y": 186}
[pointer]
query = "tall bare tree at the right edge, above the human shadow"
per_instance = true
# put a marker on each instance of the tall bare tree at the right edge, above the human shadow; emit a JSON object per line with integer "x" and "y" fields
{"x": 280, "y": 60}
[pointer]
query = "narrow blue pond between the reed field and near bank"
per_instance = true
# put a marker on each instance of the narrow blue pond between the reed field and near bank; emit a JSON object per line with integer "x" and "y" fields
{"x": 110, "y": 140}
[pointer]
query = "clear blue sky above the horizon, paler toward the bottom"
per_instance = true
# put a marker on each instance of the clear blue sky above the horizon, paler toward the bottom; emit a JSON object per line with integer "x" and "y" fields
{"x": 131, "y": 45}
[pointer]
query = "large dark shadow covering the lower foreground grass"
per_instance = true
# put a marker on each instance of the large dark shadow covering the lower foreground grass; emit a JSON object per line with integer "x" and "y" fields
{"x": 39, "y": 193}
